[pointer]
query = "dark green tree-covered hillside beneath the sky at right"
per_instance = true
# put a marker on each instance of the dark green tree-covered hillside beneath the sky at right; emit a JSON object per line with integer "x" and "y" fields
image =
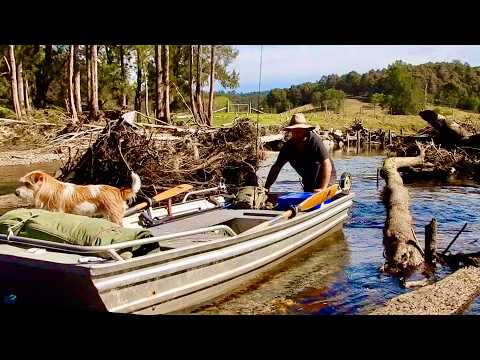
{"x": 452, "y": 84}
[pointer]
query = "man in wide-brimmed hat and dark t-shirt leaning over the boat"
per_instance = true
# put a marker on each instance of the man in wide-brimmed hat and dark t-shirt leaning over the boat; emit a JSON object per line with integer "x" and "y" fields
{"x": 307, "y": 154}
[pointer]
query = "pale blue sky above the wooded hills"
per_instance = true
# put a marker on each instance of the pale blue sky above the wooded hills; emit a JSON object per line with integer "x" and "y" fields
{"x": 285, "y": 65}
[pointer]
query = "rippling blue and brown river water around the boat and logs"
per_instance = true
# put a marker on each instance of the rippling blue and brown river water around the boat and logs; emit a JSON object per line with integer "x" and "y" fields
{"x": 340, "y": 275}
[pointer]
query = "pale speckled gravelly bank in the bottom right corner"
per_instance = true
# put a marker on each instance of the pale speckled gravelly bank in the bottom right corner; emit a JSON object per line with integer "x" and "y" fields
{"x": 448, "y": 296}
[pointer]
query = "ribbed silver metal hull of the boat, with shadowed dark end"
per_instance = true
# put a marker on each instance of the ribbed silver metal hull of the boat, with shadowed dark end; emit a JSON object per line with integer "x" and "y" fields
{"x": 177, "y": 280}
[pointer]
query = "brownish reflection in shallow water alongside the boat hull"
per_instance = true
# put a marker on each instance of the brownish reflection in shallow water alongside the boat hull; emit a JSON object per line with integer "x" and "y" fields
{"x": 277, "y": 292}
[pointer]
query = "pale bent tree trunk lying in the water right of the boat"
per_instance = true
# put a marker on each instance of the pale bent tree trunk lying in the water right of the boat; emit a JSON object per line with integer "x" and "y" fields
{"x": 399, "y": 242}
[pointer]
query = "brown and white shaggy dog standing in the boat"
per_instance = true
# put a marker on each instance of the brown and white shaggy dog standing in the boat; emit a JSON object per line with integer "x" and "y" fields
{"x": 48, "y": 193}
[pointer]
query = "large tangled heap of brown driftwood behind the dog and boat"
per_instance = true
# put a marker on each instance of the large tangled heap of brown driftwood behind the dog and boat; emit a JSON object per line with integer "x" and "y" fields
{"x": 167, "y": 156}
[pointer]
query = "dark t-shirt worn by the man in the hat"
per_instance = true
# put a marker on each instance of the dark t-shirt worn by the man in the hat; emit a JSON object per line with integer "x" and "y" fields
{"x": 307, "y": 161}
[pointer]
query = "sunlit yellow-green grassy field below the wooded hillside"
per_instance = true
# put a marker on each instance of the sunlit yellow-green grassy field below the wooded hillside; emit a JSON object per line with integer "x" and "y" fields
{"x": 354, "y": 109}
